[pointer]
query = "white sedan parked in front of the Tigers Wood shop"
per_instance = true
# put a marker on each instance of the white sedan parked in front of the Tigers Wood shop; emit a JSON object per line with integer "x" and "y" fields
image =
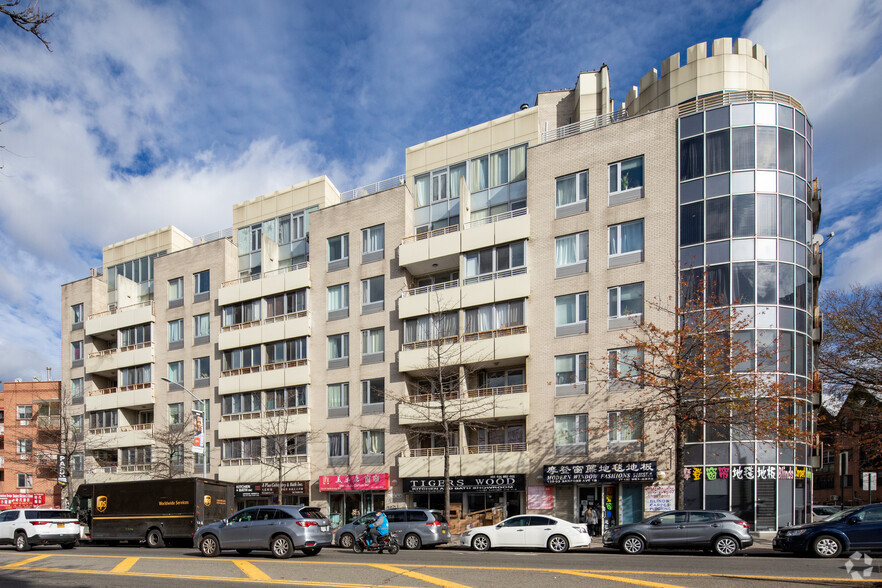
{"x": 528, "y": 531}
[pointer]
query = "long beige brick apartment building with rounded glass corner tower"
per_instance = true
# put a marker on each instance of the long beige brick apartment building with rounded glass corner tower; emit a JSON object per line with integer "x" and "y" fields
{"x": 506, "y": 261}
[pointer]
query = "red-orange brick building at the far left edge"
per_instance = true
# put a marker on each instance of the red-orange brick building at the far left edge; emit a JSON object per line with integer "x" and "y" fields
{"x": 30, "y": 430}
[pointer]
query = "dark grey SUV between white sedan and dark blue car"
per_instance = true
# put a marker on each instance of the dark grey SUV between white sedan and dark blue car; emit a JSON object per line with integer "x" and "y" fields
{"x": 721, "y": 531}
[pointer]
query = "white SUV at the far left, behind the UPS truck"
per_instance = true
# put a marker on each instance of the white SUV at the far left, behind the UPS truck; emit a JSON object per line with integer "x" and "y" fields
{"x": 26, "y": 527}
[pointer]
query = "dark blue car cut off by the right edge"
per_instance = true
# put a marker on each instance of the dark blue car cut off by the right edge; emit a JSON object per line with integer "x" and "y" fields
{"x": 853, "y": 529}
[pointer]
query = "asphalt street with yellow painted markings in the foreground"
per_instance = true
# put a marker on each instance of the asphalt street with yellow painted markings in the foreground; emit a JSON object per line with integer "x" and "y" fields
{"x": 99, "y": 566}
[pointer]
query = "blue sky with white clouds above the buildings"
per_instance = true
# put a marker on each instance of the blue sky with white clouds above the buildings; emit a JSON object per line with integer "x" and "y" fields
{"x": 155, "y": 113}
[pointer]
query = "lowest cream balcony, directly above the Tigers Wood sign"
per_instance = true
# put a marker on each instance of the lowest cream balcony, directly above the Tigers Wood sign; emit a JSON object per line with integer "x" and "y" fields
{"x": 474, "y": 460}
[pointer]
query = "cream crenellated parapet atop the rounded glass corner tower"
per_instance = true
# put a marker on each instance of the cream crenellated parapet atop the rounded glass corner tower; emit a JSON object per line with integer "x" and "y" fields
{"x": 738, "y": 66}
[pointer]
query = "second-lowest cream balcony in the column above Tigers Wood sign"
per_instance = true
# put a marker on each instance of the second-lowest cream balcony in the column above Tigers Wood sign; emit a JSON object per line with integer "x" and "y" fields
{"x": 483, "y": 403}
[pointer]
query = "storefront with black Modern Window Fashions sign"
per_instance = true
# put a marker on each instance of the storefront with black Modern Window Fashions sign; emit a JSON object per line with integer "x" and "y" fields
{"x": 613, "y": 491}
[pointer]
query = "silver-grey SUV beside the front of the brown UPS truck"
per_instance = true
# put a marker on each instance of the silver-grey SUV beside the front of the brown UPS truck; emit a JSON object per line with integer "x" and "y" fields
{"x": 280, "y": 529}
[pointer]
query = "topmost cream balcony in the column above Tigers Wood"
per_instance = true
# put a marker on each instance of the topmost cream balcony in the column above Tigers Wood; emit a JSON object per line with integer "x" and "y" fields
{"x": 440, "y": 249}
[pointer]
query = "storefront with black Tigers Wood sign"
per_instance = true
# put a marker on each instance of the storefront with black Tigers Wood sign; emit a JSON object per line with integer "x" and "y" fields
{"x": 469, "y": 494}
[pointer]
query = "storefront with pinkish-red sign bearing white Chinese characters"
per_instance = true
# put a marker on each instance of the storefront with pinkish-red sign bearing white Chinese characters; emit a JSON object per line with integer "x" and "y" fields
{"x": 351, "y": 495}
